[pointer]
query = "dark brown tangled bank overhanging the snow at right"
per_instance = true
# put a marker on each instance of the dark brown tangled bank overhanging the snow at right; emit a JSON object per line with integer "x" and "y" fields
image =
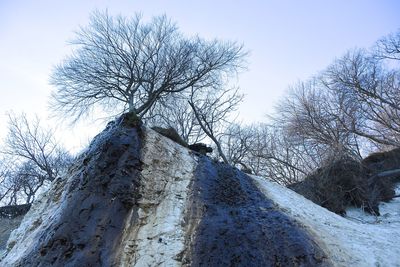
{"x": 344, "y": 182}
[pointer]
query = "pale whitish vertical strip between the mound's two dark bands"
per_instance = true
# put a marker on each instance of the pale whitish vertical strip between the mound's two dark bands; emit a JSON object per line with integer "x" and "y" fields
{"x": 167, "y": 172}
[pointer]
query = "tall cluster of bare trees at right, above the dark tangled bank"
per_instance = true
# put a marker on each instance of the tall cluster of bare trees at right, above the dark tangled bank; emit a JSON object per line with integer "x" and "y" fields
{"x": 352, "y": 106}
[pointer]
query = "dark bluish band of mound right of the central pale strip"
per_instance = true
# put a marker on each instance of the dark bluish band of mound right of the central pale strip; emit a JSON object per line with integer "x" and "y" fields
{"x": 239, "y": 226}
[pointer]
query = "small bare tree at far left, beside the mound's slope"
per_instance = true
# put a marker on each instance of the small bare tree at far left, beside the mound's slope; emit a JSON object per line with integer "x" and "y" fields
{"x": 34, "y": 159}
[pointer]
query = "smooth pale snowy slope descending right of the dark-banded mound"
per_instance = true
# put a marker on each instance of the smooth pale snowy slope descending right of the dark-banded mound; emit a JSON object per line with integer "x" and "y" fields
{"x": 347, "y": 242}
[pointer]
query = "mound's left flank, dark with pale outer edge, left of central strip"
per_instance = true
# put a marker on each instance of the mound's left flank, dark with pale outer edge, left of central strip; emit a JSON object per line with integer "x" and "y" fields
{"x": 80, "y": 221}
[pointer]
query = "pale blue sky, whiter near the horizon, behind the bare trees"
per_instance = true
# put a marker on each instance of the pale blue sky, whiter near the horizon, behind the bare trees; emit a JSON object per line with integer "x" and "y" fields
{"x": 288, "y": 41}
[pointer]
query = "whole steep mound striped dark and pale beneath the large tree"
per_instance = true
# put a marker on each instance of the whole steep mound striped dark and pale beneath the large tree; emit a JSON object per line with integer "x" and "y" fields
{"x": 136, "y": 198}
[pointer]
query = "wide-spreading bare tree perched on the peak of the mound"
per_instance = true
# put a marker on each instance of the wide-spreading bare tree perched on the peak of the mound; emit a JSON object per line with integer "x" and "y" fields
{"x": 126, "y": 64}
